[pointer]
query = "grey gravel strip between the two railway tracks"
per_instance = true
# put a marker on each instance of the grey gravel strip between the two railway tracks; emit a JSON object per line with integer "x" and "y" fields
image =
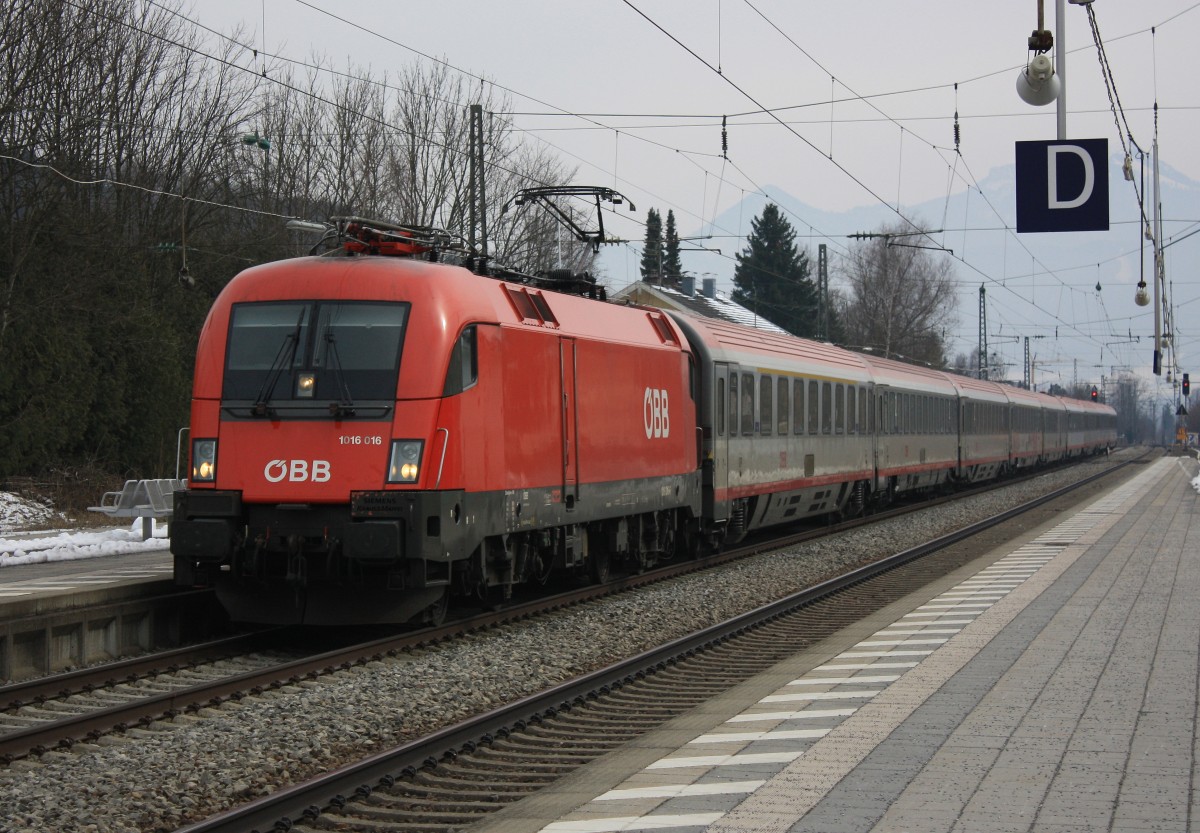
{"x": 185, "y": 771}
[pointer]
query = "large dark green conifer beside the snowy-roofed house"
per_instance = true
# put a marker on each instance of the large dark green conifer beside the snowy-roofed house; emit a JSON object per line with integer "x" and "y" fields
{"x": 772, "y": 277}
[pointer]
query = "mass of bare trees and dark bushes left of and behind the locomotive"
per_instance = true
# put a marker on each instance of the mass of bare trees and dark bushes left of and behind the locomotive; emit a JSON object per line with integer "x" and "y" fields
{"x": 123, "y": 160}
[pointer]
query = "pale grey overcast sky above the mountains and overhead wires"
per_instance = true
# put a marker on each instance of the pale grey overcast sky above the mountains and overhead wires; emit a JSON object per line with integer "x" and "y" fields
{"x": 890, "y": 68}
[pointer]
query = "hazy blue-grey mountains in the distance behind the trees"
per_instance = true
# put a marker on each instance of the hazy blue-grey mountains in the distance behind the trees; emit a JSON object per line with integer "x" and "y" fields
{"x": 1039, "y": 285}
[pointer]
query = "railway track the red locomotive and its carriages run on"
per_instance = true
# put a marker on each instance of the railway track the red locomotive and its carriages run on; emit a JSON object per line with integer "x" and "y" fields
{"x": 58, "y": 712}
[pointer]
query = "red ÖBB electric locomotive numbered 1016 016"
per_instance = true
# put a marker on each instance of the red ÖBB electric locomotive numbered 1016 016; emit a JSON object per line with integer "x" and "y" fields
{"x": 374, "y": 434}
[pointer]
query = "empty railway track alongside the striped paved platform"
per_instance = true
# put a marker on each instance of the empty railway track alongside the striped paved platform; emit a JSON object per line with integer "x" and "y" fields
{"x": 454, "y": 777}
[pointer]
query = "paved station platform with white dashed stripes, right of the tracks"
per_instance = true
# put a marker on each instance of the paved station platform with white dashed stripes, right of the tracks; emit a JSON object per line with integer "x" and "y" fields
{"x": 1054, "y": 691}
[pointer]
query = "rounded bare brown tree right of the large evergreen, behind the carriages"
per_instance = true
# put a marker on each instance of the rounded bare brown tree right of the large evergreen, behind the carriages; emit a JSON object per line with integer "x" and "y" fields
{"x": 899, "y": 298}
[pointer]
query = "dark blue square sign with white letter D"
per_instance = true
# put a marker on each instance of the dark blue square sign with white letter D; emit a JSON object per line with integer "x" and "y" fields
{"x": 1063, "y": 187}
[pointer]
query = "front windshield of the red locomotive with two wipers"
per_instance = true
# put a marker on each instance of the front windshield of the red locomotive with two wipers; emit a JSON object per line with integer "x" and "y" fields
{"x": 291, "y": 355}
